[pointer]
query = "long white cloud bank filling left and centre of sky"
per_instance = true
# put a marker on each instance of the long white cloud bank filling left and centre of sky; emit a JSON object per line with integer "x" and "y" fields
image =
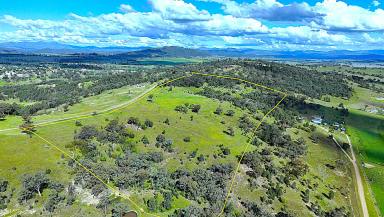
{"x": 156, "y": 24}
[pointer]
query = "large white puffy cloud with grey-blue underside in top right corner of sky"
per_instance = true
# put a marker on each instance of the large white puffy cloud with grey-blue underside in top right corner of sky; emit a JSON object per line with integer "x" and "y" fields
{"x": 334, "y": 15}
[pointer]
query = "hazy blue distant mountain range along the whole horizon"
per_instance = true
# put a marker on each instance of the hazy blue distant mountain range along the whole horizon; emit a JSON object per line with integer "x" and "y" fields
{"x": 129, "y": 53}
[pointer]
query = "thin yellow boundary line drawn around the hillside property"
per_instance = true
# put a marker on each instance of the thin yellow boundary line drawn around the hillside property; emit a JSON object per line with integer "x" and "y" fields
{"x": 116, "y": 191}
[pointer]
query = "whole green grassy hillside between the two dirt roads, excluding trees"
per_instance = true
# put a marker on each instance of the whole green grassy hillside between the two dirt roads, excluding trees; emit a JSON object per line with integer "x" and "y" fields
{"x": 207, "y": 140}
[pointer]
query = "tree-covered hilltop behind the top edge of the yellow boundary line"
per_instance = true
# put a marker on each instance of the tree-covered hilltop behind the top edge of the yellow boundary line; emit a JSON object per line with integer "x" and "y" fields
{"x": 284, "y": 77}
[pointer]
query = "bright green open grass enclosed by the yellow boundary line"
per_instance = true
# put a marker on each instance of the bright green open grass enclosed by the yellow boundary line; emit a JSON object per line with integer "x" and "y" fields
{"x": 205, "y": 131}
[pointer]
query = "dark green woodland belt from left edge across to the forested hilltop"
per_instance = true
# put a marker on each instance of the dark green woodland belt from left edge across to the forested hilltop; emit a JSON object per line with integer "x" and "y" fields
{"x": 66, "y": 87}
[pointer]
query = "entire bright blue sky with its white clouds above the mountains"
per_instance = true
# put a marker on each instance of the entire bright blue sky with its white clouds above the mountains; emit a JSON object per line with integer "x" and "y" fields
{"x": 259, "y": 24}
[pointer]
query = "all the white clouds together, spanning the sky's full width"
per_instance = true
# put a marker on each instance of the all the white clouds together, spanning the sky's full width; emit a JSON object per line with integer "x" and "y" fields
{"x": 175, "y": 22}
